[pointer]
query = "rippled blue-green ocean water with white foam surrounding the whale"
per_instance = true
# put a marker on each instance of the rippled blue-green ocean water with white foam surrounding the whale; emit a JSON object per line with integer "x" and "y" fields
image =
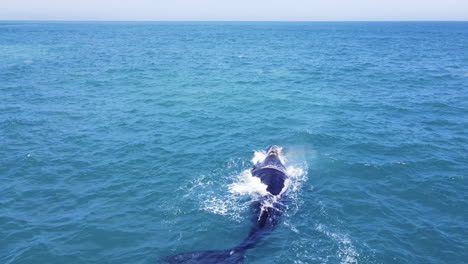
{"x": 126, "y": 142}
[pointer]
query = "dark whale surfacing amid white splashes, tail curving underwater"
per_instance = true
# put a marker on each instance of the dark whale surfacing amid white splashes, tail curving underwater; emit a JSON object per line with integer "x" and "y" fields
{"x": 267, "y": 212}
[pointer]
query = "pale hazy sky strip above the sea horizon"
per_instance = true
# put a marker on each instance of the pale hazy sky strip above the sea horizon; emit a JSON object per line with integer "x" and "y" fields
{"x": 222, "y": 10}
